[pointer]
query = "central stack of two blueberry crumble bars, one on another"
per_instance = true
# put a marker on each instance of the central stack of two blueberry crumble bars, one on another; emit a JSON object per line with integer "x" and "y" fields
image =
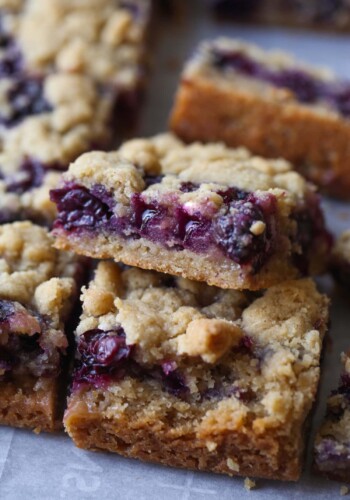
{"x": 195, "y": 368}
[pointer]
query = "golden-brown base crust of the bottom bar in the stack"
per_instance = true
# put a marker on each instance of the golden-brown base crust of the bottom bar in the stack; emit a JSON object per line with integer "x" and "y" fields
{"x": 265, "y": 456}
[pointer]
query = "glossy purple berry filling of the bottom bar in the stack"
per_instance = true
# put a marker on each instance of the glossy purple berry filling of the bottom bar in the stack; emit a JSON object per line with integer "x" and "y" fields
{"x": 104, "y": 358}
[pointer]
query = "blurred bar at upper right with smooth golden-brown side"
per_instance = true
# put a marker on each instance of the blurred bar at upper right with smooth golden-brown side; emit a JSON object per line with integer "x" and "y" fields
{"x": 277, "y": 107}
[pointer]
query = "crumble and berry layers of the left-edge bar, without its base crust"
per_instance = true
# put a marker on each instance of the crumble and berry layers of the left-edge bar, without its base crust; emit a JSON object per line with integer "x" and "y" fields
{"x": 37, "y": 289}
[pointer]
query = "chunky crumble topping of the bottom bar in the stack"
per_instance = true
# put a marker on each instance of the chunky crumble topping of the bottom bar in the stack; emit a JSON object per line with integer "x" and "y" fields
{"x": 269, "y": 347}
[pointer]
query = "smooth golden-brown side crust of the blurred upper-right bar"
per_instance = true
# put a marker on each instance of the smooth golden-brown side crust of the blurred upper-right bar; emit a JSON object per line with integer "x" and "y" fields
{"x": 318, "y": 144}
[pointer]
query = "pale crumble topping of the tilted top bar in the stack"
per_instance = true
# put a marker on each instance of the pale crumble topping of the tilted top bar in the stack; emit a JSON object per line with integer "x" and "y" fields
{"x": 213, "y": 166}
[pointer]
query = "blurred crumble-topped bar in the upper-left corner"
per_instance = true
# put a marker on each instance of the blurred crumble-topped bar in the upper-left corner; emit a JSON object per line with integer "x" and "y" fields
{"x": 54, "y": 103}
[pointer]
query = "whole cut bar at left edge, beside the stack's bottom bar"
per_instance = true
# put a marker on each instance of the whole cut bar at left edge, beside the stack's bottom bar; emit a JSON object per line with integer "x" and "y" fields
{"x": 38, "y": 288}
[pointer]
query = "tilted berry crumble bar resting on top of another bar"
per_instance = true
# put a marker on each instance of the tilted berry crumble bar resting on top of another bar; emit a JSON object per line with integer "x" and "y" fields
{"x": 204, "y": 212}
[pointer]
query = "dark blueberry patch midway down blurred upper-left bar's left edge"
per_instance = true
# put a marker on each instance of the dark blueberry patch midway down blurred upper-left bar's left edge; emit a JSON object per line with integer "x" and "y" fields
{"x": 25, "y": 98}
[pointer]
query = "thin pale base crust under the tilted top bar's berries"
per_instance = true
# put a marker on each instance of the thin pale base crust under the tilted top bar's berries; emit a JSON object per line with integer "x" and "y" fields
{"x": 147, "y": 255}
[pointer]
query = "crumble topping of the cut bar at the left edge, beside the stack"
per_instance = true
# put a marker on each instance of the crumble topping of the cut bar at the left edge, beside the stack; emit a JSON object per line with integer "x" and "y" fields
{"x": 30, "y": 266}
